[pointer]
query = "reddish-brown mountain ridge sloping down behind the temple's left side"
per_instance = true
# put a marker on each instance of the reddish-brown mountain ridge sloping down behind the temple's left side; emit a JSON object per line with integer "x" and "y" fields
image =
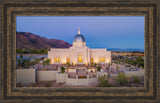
{"x": 26, "y": 40}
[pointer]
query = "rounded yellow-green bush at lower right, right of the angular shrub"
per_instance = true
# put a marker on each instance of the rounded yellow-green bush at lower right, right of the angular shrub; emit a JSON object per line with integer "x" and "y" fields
{"x": 122, "y": 79}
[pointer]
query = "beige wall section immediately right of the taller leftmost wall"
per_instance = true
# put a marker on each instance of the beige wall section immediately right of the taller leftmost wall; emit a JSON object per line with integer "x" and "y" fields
{"x": 46, "y": 75}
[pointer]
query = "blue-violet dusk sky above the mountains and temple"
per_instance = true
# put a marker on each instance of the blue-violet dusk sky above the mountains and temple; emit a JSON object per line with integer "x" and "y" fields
{"x": 99, "y": 31}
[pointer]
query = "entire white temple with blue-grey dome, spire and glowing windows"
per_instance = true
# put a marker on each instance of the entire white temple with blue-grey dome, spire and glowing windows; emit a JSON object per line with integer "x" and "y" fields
{"x": 79, "y": 53}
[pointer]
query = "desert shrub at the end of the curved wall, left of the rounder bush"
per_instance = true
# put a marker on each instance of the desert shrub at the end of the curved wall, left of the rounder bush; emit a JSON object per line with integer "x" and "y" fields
{"x": 103, "y": 82}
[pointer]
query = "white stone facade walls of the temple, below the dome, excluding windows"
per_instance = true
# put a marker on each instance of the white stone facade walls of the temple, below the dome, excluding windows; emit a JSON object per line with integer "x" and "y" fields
{"x": 73, "y": 52}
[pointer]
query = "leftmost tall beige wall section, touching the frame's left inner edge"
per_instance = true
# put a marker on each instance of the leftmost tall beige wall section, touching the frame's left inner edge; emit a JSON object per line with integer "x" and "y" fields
{"x": 25, "y": 75}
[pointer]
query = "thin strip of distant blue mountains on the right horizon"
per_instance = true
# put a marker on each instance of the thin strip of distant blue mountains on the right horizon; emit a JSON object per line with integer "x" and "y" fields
{"x": 127, "y": 49}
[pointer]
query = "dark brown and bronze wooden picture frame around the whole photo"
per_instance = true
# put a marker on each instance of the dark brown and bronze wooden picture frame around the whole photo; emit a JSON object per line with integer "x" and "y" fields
{"x": 150, "y": 93}
